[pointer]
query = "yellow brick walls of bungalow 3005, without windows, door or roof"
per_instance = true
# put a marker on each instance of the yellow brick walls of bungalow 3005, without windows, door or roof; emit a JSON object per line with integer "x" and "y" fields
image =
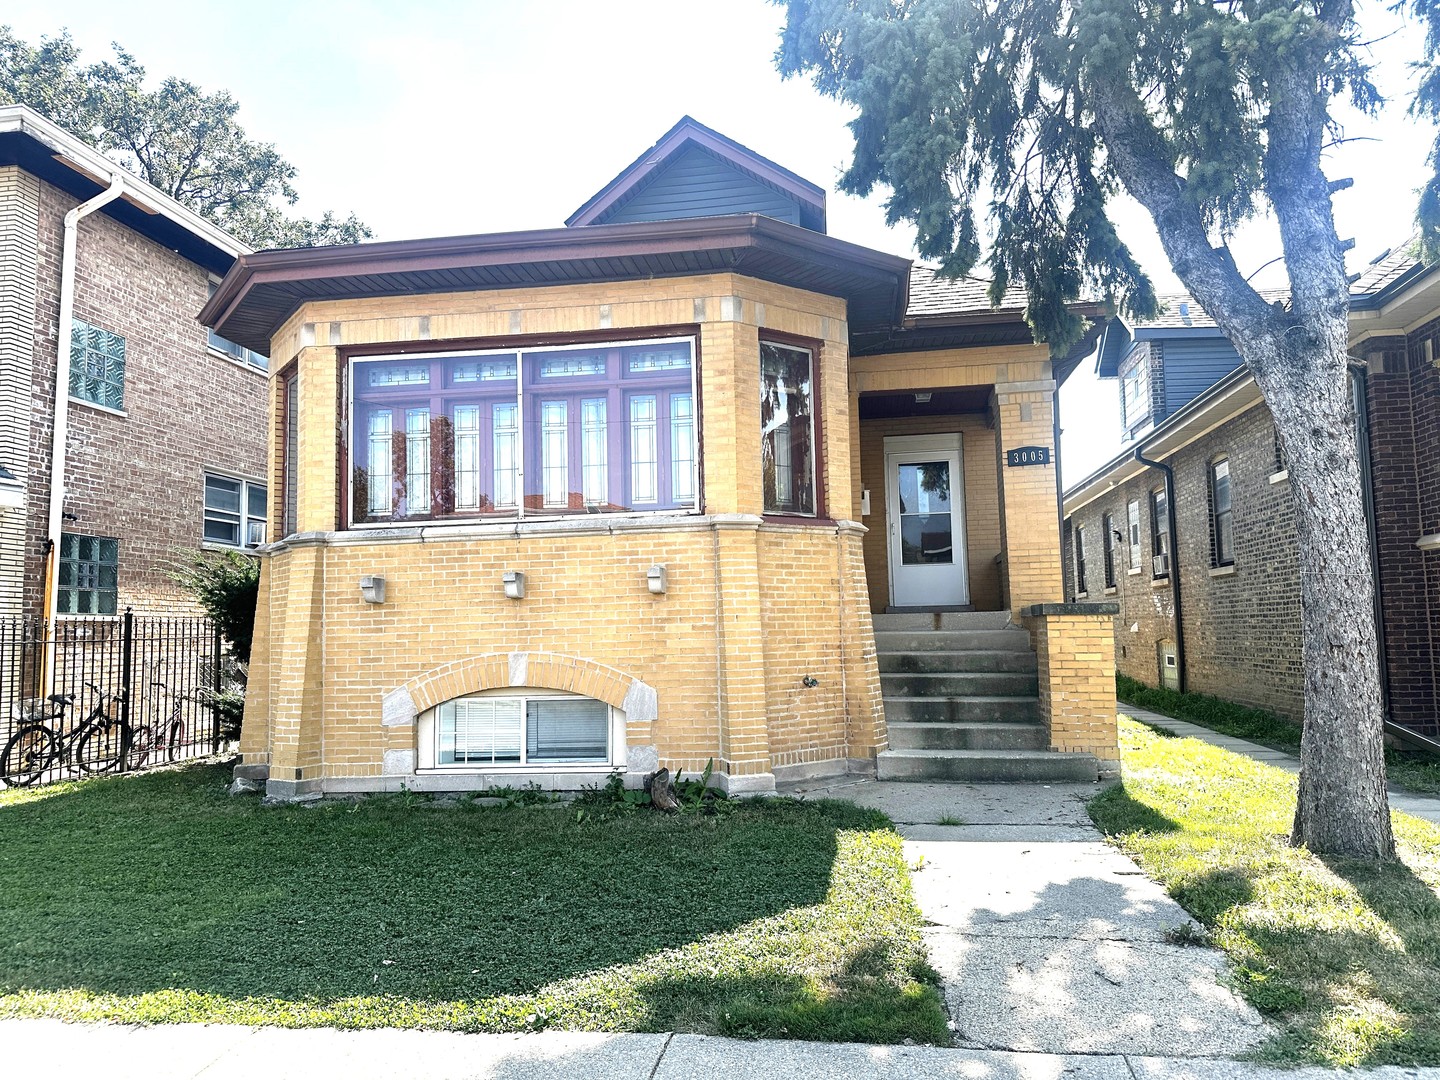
{"x": 761, "y": 654}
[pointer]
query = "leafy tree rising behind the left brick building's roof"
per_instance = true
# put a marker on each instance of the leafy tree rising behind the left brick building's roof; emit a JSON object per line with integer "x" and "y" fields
{"x": 178, "y": 138}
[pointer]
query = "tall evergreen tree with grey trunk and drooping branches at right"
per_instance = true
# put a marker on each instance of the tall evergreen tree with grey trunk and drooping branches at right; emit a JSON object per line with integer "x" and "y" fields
{"x": 1205, "y": 113}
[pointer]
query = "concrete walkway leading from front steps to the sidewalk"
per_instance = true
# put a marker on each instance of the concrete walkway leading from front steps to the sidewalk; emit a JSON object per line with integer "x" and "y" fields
{"x": 1048, "y": 938}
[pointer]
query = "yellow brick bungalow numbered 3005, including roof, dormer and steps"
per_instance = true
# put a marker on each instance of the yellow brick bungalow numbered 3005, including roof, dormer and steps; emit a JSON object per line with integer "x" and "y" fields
{"x": 686, "y": 480}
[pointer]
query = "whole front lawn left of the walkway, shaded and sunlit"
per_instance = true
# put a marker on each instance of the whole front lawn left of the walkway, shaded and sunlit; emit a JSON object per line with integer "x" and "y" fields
{"x": 161, "y": 899}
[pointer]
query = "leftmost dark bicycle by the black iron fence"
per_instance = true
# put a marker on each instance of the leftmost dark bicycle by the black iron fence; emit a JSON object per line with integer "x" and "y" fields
{"x": 97, "y": 745}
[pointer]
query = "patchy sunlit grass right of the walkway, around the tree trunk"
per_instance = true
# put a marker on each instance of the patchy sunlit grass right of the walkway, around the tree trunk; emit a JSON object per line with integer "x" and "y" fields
{"x": 1343, "y": 957}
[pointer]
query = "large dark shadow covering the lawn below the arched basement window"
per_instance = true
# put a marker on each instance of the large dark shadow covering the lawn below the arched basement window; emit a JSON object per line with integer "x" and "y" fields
{"x": 161, "y": 882}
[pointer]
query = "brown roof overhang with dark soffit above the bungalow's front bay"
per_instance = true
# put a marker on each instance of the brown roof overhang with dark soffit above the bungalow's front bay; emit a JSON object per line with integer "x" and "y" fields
{"x": 264, "y": 290}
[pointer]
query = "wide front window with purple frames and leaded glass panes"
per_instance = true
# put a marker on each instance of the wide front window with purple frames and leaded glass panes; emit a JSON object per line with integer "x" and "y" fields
{"x": 584, "y": 430}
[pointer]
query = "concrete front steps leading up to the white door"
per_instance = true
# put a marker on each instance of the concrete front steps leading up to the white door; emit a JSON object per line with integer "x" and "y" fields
{"x": 963, "y": 702}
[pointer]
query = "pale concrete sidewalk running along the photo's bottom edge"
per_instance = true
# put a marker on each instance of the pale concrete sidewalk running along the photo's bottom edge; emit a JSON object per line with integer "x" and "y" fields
{"x": 192, "y": 1052}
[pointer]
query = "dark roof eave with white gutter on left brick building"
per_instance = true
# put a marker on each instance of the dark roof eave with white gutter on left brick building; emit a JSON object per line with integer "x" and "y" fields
{"x": 48, "y": 152}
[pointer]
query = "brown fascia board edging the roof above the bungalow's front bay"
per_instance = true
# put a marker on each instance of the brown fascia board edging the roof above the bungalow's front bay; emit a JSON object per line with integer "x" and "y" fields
{"x": 548, "y": 246}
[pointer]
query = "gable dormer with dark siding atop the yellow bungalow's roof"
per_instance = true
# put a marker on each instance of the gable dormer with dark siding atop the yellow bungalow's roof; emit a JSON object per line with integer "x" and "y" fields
{"x": 696, "y": 172}
